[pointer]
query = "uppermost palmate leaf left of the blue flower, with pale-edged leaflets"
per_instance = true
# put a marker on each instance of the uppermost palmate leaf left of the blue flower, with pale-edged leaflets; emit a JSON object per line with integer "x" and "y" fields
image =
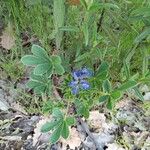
{"x": 42, "y": 62}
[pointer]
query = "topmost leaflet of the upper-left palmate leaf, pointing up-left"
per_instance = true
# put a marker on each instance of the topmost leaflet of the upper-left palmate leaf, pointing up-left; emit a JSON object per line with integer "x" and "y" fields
{"x": 39, "y": 52}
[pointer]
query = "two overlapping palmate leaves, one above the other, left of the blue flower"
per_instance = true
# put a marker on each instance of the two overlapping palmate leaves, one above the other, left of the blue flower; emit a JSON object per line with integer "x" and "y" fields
{"x": 45, "y": 66}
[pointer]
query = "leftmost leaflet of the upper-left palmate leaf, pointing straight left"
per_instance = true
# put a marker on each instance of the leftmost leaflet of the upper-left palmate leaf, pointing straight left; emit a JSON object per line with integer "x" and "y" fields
{"x": 31, "y": 60}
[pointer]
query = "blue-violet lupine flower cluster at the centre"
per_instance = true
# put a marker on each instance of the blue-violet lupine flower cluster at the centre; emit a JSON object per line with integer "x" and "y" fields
{"x": 79, "y": 81}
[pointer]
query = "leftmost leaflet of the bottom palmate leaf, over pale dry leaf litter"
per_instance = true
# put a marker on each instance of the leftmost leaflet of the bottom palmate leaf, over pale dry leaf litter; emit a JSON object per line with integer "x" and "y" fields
{"x": 49, "y": 126}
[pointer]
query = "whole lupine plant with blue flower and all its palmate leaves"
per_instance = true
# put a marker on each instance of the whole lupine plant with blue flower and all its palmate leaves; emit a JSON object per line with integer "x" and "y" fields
{"x": 83, "y": 89}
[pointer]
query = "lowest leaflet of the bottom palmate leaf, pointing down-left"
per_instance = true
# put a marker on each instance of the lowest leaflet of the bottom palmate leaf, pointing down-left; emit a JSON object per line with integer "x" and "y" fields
{"x": 56, "y": 134}
